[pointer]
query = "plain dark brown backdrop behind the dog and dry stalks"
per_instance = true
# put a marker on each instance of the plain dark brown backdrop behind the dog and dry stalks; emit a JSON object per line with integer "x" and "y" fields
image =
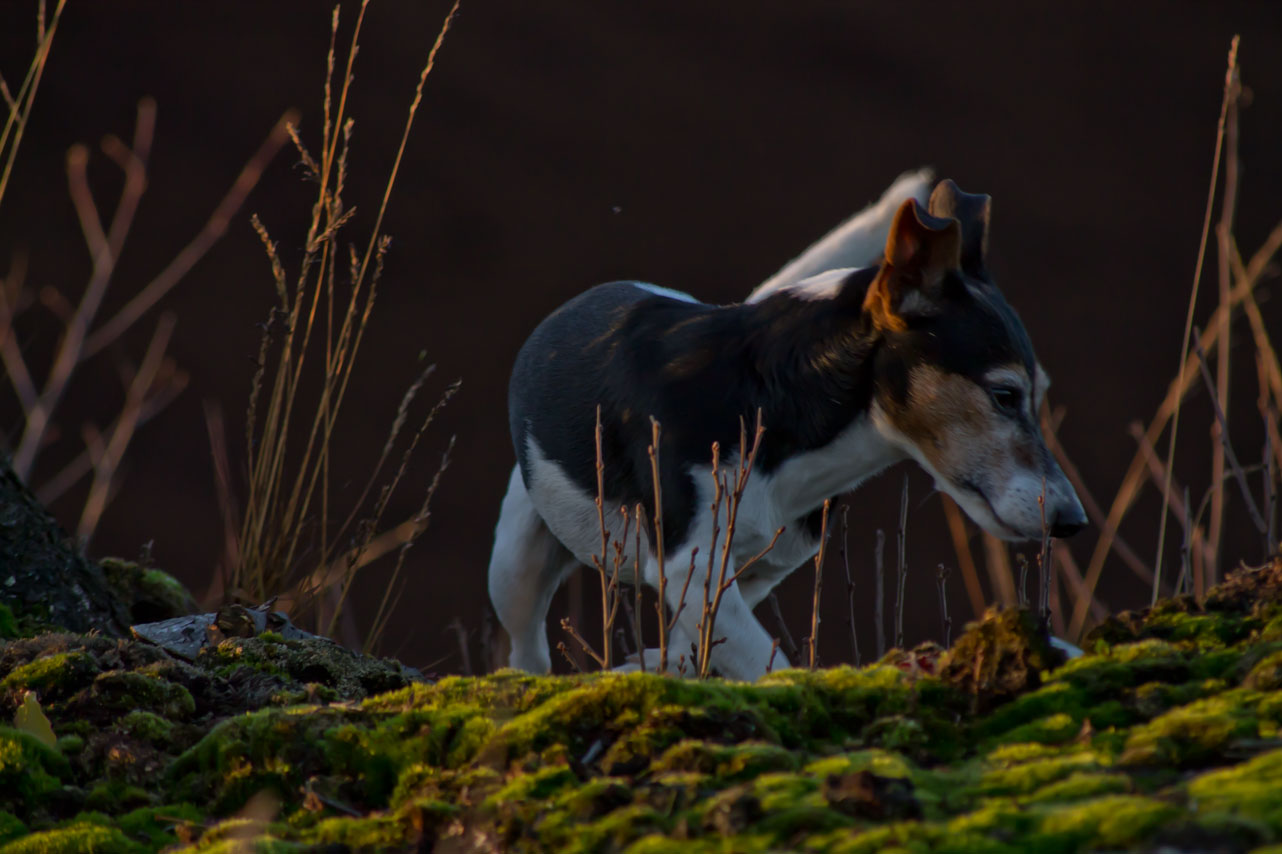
{"x": 697, "y": 146}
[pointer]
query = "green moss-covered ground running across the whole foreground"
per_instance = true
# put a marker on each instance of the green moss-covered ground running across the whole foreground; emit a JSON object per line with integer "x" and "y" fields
{"x": 1165, "y": 737}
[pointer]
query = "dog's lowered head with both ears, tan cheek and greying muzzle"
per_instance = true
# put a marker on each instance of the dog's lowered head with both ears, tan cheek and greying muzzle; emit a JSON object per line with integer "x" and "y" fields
{"x": 957, "y": 384}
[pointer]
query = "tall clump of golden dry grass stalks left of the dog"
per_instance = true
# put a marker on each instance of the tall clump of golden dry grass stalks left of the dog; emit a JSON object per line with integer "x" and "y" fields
{"x": 289, "y": 493}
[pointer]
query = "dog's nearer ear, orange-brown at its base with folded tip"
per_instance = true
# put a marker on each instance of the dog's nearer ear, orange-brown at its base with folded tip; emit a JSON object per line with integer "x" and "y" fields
{"x": 921, "y": 251}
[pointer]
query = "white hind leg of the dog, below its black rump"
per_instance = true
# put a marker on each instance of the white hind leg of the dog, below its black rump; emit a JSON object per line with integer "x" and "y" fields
{"x": 526, "y": 569}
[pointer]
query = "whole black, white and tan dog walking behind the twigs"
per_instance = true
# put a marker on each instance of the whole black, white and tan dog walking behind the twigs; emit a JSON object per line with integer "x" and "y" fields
{"x": 853, "y": 370}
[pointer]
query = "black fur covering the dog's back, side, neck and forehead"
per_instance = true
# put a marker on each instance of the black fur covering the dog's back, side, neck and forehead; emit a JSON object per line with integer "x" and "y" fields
{"x": 811, "y": 366}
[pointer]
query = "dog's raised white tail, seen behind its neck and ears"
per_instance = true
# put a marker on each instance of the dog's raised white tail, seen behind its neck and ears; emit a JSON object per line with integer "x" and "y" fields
{"x": 856, "y": 243}
